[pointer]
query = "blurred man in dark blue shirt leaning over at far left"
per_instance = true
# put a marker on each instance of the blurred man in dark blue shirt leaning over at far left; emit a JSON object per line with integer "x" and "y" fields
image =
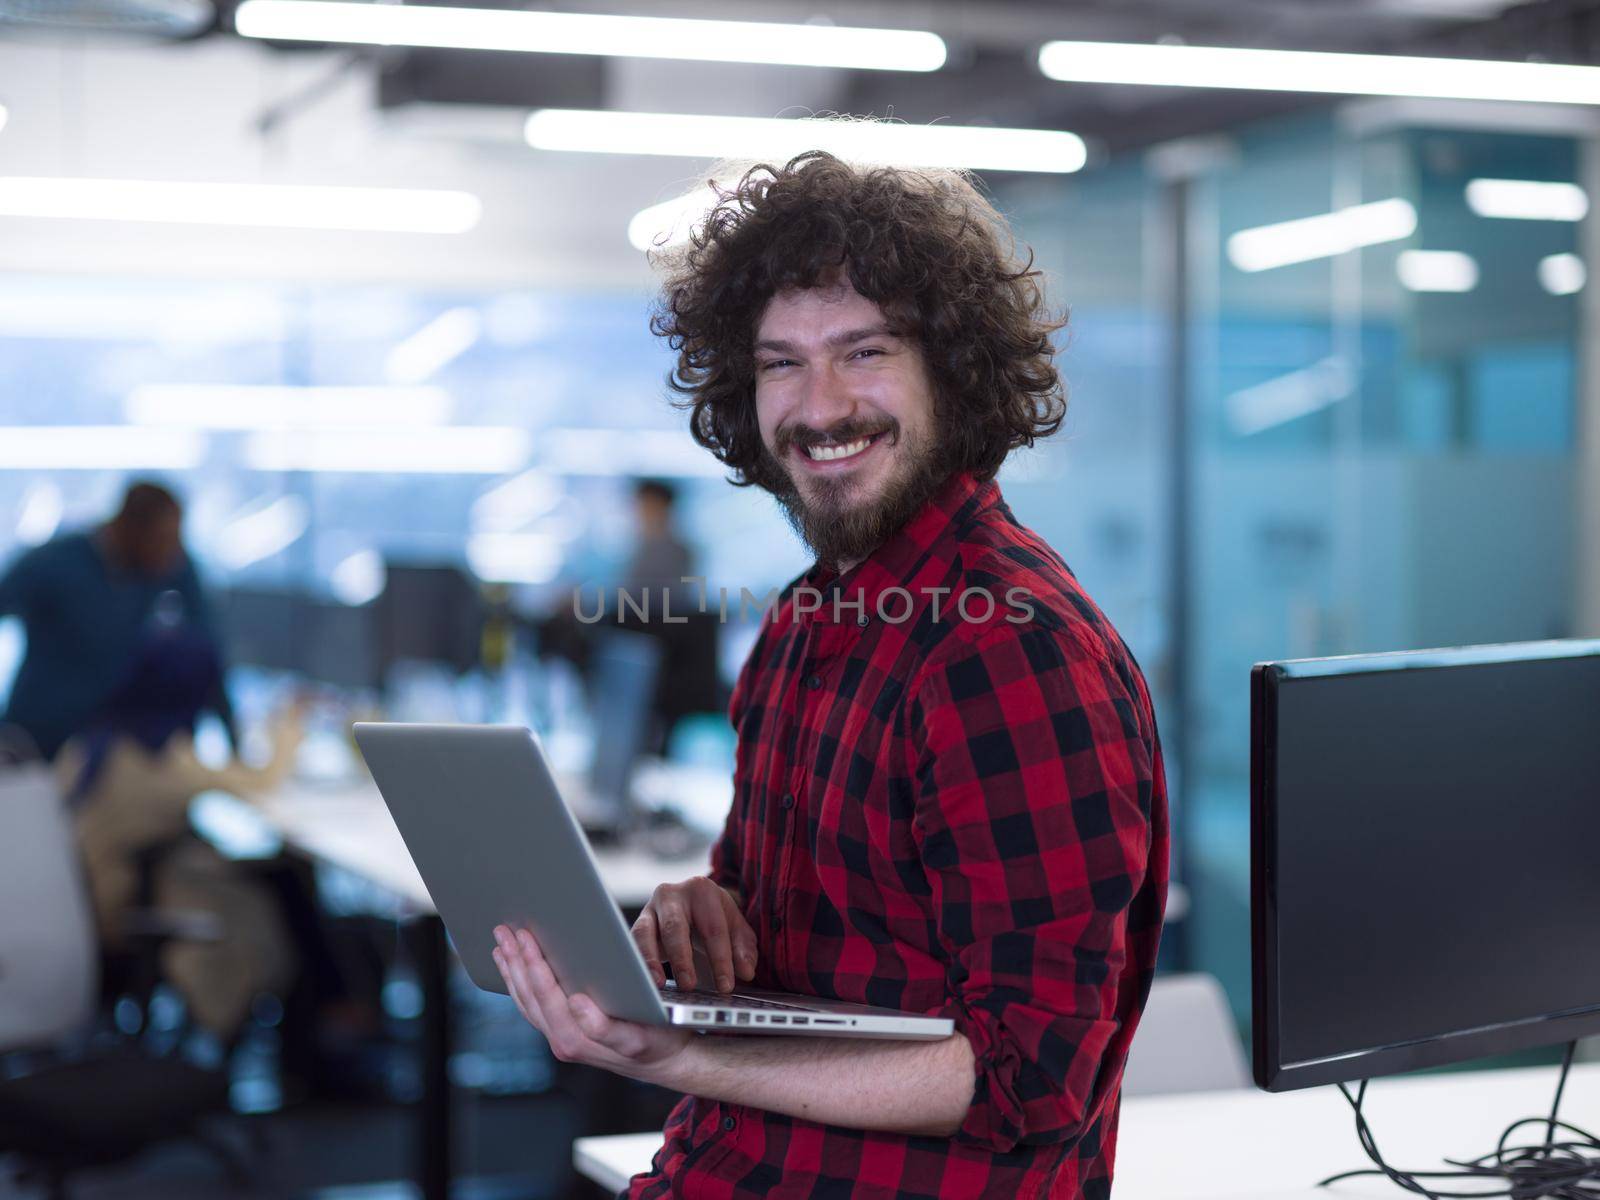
{"x": 89, "y": 602}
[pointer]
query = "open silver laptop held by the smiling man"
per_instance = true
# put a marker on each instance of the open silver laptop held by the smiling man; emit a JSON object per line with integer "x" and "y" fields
{"x": 495, "y": 846}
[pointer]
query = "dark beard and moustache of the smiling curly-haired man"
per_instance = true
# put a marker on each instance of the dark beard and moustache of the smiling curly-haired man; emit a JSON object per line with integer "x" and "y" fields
{"x": 834, "y": 519}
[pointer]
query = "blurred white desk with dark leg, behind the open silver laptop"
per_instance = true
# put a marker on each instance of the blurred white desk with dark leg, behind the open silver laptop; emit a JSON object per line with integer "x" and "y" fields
{"x": 348, "y": 826}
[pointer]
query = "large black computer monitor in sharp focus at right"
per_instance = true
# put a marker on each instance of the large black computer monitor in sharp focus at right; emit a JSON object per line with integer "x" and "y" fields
{"x": 1425, "y": 858}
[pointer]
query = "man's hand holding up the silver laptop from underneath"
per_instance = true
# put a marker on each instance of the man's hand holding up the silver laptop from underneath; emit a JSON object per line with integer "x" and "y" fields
{"x": 575, "y": 1026}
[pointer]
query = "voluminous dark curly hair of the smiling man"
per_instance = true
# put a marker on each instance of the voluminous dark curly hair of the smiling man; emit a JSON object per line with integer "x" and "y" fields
{"x": 922, "y": 244}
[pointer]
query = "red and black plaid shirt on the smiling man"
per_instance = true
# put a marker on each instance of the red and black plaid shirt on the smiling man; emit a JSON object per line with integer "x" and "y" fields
{"x": 959, "y": 815}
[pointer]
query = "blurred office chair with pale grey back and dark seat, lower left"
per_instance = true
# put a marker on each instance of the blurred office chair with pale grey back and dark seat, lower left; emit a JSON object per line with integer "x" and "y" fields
{"x": 103, "y": 1105}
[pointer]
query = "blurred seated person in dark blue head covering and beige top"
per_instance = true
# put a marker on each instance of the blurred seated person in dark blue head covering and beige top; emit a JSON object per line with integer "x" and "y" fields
{"x": 129, "y": 777}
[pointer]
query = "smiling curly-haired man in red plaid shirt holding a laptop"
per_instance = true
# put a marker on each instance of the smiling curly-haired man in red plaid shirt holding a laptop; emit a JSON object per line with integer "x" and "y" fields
{"x": 950, "y": 809}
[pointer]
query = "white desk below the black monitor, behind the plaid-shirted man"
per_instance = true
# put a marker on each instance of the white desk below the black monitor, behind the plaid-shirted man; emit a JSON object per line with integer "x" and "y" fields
{"x": 1255, "y": 1146}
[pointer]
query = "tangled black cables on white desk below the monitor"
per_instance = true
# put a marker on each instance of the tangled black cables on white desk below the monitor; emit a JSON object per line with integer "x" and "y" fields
{"x": 1556, "y": 1170}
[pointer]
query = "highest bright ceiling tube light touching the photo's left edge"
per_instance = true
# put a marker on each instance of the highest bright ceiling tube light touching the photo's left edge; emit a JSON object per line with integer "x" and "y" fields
{"x": 390, "y": 210}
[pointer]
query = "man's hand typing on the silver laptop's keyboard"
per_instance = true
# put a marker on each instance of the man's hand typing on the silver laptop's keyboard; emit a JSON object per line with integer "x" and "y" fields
{"x": 702, "y": 913}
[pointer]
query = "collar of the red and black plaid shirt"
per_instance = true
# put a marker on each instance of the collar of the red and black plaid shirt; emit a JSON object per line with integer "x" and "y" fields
{"x": 900, "y": 559}
